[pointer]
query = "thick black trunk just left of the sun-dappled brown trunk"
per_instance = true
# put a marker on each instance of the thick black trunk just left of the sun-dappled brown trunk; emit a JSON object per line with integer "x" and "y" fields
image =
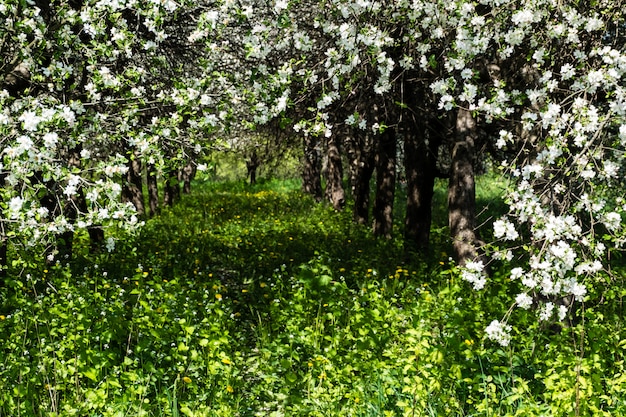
{"x": 420, "y": 164}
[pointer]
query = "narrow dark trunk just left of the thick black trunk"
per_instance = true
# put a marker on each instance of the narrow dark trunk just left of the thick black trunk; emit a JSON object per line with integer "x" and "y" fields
{"x": 385, "y": 183}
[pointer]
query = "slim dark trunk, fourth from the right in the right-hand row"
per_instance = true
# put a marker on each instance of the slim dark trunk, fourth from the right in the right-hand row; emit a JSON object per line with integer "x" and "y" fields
{"x": 361, "y": 157}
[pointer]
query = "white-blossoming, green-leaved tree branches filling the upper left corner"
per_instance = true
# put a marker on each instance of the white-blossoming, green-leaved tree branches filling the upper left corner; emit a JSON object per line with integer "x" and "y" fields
{"x": 91, "y": 91}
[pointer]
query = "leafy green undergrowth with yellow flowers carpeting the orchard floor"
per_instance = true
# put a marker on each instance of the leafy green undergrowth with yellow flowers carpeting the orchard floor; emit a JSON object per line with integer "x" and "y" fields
{"x": 256, "y": 301}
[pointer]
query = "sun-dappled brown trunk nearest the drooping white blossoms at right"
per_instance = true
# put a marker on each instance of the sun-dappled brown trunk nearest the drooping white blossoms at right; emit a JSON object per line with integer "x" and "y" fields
{"x": 461, "y": 189}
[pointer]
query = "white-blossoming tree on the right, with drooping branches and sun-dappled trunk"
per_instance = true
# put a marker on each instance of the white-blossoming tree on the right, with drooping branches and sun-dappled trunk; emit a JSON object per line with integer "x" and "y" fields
{"x": 542, "y": 82}
